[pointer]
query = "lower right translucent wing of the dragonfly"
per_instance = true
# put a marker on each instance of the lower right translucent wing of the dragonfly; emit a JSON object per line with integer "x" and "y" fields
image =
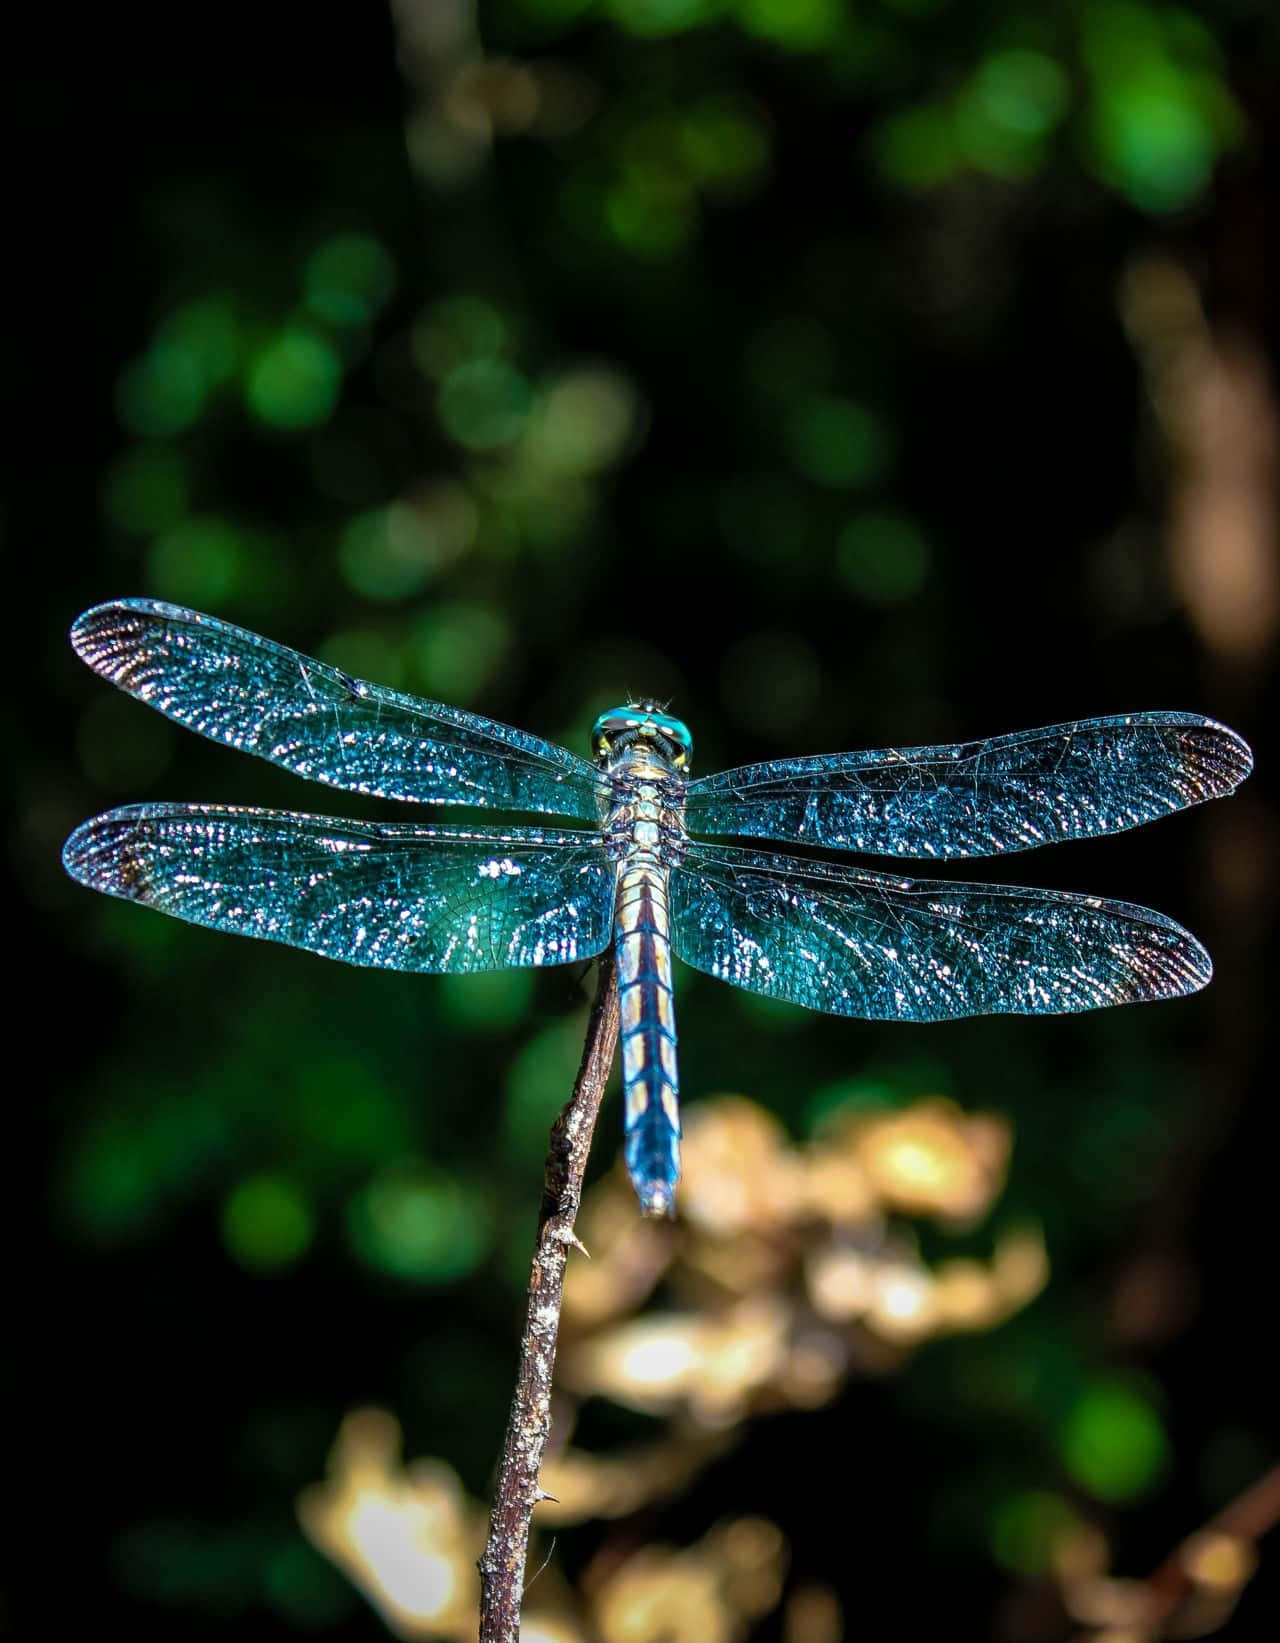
{"x": 886, "y": 949}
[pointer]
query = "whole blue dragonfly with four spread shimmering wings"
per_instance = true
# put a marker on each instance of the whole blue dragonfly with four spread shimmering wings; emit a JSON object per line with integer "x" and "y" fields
{"x": 635, "y": 867}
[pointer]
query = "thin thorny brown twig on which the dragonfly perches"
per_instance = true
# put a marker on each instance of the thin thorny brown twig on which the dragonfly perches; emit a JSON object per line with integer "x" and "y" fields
{"x": 502, "y": 1568}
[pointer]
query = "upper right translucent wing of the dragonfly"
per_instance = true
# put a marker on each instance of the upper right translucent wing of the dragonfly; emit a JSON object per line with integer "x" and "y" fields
{"x": 980, "y": 798}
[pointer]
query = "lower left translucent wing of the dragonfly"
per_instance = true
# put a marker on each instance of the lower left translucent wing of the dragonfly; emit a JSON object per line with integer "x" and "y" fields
{"x": 389, "y": 896}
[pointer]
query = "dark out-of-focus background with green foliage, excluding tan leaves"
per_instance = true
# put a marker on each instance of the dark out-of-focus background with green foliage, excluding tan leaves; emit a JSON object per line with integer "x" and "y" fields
{"x": 937, "y": 343}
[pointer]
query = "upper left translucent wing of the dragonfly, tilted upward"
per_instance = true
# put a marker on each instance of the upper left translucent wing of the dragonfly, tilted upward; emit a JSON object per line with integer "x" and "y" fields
{"x": 237, "y": 688}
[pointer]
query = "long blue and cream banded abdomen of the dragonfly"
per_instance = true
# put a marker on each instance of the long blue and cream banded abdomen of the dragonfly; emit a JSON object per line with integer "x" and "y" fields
{"x": 652, "y": 1084}
